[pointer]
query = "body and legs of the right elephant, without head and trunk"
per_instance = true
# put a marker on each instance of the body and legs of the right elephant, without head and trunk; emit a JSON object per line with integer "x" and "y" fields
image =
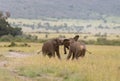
{"x": 77, "y": 49}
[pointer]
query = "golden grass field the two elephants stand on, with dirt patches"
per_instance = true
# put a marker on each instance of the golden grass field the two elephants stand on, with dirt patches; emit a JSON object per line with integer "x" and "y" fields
{"x": 24, "y": 64}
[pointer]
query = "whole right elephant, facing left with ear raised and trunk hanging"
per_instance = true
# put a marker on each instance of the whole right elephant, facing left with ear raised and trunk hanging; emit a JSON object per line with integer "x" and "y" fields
{"x": 76, "y": 49}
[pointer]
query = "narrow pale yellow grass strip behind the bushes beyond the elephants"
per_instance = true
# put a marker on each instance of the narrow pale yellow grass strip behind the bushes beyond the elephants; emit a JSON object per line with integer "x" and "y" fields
{"x": 69, "y": 35}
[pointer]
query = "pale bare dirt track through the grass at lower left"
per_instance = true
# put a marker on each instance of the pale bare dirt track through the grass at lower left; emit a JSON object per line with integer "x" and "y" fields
{"x": 5, "y": 64}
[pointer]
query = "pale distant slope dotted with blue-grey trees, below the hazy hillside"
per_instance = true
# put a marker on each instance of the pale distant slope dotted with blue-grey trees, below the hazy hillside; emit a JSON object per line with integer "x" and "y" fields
{"x": 66, "y": 25}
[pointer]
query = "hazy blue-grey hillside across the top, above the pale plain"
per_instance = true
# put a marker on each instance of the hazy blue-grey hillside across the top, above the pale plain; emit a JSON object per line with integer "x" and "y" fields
{"x": 84, "y": 9}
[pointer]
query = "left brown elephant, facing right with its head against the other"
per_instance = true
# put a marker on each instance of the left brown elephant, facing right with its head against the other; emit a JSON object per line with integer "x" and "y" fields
{"x": 51, "y": 47}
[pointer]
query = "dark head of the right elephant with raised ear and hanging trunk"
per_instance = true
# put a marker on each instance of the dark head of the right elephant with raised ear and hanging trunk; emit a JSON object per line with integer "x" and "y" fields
{"x": 66, "y": 42}
